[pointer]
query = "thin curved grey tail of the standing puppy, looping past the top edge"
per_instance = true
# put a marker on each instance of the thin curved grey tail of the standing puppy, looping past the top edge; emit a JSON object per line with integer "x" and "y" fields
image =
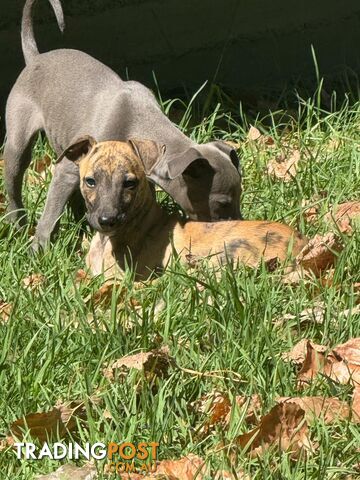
{"x": 28, "y": 42}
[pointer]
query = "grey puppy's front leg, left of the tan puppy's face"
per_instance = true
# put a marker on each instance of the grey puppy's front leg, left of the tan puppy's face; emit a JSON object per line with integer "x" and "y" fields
{"x": 64, "y": 183}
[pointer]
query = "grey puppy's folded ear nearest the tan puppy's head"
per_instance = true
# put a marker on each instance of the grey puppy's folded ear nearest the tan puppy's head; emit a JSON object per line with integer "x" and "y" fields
{"x": 191, "y": 163}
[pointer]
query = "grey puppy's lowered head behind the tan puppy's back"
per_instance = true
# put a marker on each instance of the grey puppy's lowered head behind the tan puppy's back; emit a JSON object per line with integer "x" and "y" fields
{"x": 204, "y": 179}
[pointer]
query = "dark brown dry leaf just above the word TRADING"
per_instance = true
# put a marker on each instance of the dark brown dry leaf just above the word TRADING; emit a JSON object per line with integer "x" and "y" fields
{"x": 42, "y": 425}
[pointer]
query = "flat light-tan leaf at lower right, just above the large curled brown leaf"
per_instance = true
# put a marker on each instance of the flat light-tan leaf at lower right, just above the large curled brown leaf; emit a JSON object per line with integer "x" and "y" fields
{"x": 329, "y": 409}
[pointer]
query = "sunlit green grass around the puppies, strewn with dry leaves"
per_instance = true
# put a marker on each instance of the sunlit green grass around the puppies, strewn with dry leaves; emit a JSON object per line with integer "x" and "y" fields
{"x": 56, "y": 343}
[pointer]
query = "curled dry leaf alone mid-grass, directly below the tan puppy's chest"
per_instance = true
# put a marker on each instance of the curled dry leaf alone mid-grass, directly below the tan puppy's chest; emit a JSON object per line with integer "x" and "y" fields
{"x": 153, "y": 363}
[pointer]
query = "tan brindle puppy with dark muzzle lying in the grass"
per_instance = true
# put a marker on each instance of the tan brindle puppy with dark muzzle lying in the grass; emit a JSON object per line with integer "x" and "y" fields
{"x": 135, "y": 230}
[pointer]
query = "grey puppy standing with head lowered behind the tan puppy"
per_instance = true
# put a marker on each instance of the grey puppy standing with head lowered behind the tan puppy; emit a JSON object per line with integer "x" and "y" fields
{"x": 67, "y": 93}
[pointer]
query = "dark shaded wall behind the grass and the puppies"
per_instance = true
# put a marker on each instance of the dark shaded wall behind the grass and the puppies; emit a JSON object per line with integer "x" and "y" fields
{"x": 250, "y": 46}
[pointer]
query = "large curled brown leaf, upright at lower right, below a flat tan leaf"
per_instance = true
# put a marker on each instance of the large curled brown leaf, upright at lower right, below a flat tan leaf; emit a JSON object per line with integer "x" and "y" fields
{"x": 284, "y": 427}
